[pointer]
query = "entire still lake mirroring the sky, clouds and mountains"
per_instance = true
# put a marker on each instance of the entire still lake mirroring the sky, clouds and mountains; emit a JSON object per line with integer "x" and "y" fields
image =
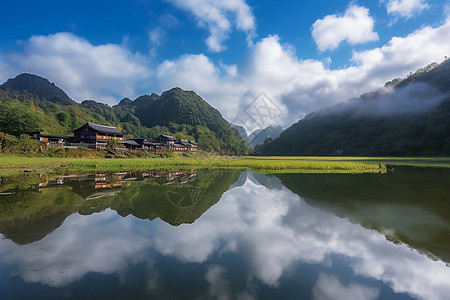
{"x": 226, "y": 234}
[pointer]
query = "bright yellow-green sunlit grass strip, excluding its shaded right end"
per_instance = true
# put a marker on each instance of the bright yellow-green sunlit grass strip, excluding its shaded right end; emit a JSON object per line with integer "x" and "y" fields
{"x": 10, "y": 164}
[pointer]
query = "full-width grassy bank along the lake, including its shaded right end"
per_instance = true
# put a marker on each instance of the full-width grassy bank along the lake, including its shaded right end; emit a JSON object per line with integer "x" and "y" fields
{"x": 348, "y": 165}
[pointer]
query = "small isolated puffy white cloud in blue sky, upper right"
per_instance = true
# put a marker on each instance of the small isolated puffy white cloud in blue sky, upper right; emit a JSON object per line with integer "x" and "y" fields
{"x": 355, "y": 26}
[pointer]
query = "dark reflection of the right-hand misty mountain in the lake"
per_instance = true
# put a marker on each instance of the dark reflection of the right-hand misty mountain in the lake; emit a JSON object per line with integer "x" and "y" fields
{"x": 409, "y": 205}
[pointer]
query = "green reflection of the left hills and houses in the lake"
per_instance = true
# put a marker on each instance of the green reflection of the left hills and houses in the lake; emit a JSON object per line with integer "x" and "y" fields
{"x": 28, "y": 215}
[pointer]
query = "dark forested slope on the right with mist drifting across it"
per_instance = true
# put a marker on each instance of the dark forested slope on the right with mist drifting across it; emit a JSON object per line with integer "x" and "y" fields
{"x": 406, "y": 117}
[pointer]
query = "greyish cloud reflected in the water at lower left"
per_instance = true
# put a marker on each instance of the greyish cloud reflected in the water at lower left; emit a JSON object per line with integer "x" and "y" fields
{"x": 73, "y": 250}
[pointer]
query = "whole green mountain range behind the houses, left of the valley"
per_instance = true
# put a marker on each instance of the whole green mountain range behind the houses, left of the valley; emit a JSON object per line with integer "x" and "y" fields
{"x": 29, "y": 103}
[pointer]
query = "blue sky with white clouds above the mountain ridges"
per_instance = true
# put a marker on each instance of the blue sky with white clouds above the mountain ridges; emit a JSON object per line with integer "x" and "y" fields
{"x": 302, "y": 55}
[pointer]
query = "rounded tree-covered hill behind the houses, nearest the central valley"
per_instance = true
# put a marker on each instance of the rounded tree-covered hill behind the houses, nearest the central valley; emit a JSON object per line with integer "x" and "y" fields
{"x": 185, "y": 114}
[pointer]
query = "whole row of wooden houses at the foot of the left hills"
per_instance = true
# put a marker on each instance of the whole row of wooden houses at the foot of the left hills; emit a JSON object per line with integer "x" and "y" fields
{"x": 98, "y": 137}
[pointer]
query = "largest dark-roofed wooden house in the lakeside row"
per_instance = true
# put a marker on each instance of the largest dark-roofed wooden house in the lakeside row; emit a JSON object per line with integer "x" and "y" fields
{"x": 97, "y": 136}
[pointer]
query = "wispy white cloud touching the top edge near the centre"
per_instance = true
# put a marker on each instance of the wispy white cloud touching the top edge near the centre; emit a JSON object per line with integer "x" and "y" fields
{"x": 219, "y": 17}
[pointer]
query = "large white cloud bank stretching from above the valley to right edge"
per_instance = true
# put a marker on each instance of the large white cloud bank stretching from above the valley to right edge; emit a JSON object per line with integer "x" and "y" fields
{"x": 301, "y": 86}
